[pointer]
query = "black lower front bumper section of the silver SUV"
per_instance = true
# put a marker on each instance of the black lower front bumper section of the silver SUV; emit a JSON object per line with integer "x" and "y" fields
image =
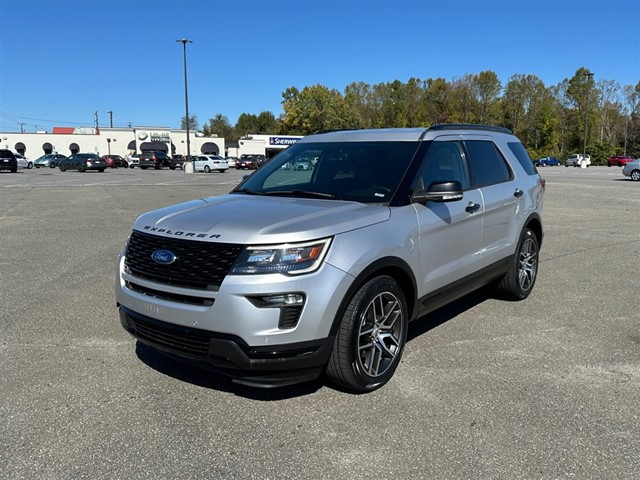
{"x": 262, "y": 366}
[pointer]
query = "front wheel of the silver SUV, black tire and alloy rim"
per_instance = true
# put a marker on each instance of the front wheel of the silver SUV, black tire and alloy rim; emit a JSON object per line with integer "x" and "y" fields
{"x": 371, "y": 337}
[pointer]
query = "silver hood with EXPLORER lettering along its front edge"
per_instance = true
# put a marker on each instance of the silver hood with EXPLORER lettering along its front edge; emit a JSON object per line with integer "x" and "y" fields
{"x": 244, "y": 219}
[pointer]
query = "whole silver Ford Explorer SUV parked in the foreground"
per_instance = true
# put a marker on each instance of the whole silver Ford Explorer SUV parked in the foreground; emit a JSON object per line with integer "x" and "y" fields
{"x": 300, "y": 272}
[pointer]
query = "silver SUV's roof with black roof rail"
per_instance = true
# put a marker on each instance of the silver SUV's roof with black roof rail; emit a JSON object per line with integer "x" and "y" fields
{"x": 399, "y": 134}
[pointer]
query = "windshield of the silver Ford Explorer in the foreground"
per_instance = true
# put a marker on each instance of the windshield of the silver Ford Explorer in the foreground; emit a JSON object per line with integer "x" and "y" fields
{"x": 367, "y": 172}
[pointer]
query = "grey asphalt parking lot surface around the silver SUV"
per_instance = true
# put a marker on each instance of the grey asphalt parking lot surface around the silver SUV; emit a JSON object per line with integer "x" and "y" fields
{"x": 548, "y": 388}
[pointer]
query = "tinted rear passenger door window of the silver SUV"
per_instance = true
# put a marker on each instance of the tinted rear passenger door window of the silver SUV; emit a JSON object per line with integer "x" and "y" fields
{"x": 486, "y": 163}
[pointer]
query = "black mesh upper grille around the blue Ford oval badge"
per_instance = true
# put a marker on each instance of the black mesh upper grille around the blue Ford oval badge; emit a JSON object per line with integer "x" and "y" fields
{"x": 199, "y": 265}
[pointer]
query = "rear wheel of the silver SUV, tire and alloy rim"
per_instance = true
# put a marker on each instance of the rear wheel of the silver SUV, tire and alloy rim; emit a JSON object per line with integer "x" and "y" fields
{"x": 518, "y": 282}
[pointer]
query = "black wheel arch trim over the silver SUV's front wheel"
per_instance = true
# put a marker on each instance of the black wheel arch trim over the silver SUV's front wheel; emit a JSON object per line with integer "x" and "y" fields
{"x": 393, "y": 267}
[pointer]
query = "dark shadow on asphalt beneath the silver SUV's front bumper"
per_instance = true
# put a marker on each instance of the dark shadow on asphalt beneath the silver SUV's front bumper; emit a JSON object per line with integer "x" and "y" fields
{"x": 212, "y": 380}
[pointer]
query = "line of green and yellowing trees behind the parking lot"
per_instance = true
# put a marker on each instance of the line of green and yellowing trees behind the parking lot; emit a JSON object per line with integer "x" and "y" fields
{"x": 550, "y": 121}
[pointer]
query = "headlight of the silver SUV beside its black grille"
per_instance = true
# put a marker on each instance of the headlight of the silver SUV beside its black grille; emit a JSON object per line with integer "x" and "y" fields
{"x": 290, "y": 258}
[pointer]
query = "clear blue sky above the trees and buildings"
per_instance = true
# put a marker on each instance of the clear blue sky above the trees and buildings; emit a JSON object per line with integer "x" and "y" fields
{"x": 62, "y": 60}
